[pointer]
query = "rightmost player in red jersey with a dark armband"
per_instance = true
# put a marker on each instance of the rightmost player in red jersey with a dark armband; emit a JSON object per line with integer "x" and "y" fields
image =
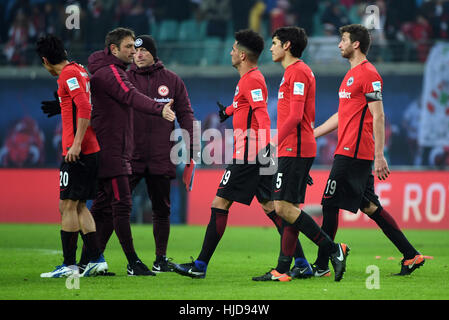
{"x": 360, "y": 116}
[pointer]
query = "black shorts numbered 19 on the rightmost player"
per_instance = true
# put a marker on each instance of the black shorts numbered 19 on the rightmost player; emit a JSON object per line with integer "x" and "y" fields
{"x": 350, "y": 185}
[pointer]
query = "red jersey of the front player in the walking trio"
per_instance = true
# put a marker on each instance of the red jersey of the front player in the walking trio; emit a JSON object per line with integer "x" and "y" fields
{"x": 250, "y": 117}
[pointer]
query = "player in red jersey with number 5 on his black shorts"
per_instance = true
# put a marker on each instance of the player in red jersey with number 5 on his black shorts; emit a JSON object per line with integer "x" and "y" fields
{"x": 296, "y": 150}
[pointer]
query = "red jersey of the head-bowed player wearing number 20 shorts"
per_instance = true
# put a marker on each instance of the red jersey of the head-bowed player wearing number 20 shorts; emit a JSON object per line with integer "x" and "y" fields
{"x": 75, "y": 102}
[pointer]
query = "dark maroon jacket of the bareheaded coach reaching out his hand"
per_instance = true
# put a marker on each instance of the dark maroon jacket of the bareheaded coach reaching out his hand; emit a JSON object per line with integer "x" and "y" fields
{"x": 113, "y": 99}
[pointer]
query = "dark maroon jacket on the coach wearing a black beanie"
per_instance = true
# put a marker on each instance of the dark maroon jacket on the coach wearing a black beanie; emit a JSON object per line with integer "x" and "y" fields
{"x": 152, "y": 143}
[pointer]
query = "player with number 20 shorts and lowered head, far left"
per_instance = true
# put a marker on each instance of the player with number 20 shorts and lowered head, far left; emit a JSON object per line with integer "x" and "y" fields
{"x": 78, "y": 171}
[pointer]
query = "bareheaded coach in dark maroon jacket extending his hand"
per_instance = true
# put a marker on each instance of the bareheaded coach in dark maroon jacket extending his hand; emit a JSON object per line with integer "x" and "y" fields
{"x": 113, "y": 101}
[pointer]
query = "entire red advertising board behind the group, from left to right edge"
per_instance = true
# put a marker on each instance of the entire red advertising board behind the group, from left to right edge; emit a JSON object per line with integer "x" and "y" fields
{"x": 416, "y": 199}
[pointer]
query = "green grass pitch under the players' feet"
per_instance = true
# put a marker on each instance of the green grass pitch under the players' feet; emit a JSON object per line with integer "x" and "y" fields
{"x": 28, "y": 250}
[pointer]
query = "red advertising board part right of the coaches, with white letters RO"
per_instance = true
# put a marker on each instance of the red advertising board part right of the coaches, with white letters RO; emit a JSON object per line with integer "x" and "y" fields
{"x": 416, "y": 199}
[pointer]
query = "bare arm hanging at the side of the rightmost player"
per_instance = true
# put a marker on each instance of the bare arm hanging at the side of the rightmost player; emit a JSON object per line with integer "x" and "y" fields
{"x": 380, "y": 163}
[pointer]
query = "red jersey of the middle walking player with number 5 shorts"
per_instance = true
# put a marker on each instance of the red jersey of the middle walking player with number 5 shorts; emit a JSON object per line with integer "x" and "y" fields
{"x": 296, "y": 112}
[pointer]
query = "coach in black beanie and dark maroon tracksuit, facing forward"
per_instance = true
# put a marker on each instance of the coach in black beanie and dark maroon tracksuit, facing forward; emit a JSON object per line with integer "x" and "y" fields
{"x": 151, "y": 157}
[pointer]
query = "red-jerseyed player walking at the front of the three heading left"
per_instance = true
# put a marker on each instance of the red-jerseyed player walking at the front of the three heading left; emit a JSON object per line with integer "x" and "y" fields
{"x": 243, "y": 179}
